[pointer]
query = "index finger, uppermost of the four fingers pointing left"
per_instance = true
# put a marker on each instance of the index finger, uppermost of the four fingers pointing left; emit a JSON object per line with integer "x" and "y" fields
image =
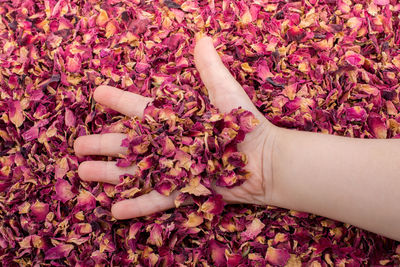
{"x": 125, "y": 102}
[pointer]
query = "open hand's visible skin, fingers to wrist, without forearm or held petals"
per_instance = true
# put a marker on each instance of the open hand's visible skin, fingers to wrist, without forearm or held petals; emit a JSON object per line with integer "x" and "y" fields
{"x": 226, "y": 94}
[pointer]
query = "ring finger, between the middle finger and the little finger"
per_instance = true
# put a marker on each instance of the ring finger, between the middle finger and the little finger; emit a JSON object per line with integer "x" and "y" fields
{"x": 103, "y": 171}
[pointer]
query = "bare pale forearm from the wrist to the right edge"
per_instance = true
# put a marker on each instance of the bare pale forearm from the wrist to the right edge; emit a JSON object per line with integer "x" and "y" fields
{"x": 356, "y": 181}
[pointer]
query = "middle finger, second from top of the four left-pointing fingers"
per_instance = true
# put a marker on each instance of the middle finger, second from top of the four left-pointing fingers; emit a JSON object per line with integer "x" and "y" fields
{"x": 100, "y": 144}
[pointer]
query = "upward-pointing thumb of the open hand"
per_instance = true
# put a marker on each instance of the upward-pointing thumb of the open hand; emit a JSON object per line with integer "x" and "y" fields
{"x": 225, "y": 92}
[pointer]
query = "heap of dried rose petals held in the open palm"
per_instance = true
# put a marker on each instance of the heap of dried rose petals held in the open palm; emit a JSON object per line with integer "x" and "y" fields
{"x": 183, "y": 143}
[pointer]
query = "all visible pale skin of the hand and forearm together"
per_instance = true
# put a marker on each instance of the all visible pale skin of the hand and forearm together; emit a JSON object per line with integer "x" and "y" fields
{"x": 350, "y": 180}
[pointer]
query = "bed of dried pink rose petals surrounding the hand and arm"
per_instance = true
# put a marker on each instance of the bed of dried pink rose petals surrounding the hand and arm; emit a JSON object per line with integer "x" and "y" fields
{"x": 330, "y": 66}
